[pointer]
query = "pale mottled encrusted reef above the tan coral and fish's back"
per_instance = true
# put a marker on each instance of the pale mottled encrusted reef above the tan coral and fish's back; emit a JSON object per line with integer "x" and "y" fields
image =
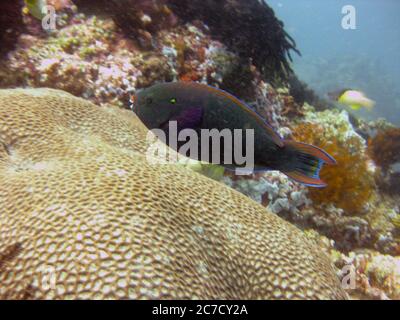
{"x": 89, "y": 57}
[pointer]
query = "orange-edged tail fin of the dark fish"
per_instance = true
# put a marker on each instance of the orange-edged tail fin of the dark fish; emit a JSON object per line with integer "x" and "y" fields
{"x": 305, "y": 163}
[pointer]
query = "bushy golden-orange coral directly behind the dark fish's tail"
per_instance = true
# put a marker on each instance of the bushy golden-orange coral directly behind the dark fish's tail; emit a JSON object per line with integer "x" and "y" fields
{"x": 350, "y": 185}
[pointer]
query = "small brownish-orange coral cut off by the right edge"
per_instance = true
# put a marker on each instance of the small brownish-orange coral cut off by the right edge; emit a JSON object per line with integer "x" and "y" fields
{"x": 384, "y": 148}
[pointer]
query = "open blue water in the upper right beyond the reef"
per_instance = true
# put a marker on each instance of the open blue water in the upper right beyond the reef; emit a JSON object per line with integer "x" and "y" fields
{"x": 367, "y": 58}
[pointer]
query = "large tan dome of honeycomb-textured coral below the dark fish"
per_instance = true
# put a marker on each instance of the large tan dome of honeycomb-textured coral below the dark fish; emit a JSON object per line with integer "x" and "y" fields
{"x": 84, "y": 215}
